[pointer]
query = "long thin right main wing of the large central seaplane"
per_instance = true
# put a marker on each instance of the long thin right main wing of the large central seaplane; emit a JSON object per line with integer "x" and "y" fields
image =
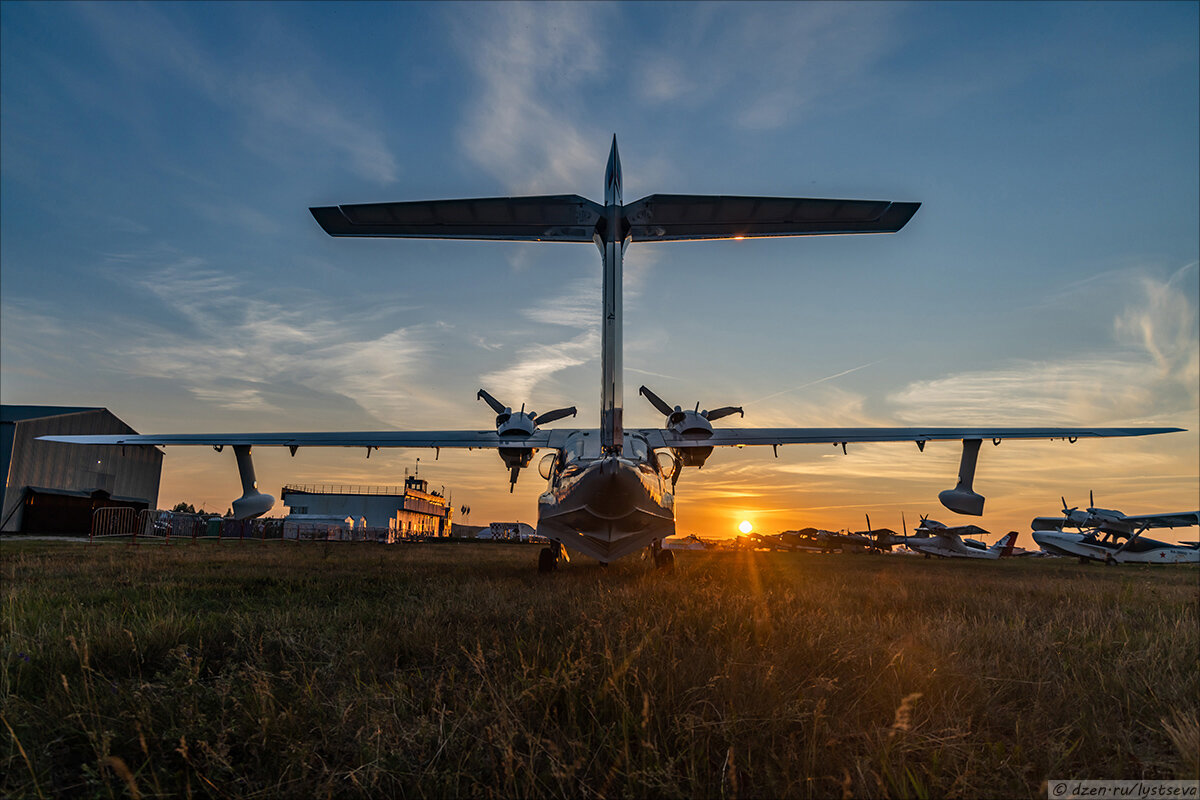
{"x": 741, "y": 437}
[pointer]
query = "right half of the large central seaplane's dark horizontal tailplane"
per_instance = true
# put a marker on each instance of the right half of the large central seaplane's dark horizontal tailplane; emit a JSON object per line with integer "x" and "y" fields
{"x": 682, "y": 218}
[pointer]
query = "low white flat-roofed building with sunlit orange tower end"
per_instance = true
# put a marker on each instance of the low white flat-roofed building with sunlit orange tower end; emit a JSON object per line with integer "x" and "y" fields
{"x": 411, "y": 510}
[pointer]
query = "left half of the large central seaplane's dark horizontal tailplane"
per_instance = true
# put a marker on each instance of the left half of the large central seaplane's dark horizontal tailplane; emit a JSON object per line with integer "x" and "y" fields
{"x": 557, "y": 218}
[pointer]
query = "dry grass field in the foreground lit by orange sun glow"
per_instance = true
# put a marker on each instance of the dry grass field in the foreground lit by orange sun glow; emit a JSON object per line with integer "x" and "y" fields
{"x": 455, "y": 670}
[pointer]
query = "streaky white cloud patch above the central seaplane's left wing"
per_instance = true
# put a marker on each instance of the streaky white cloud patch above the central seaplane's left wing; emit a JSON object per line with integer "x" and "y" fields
{"x": 247, "y": 353}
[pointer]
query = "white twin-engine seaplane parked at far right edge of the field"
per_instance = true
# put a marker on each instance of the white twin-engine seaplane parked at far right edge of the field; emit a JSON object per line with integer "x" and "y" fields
{"x": 1100, "y": 534}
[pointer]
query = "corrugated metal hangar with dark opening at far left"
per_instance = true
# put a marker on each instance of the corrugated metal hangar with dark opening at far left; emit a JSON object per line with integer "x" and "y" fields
{"x": 53, "y": 488}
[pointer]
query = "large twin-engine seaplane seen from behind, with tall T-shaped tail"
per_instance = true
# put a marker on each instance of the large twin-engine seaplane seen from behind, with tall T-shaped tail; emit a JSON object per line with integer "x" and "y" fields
{"x": 611, "y": 491}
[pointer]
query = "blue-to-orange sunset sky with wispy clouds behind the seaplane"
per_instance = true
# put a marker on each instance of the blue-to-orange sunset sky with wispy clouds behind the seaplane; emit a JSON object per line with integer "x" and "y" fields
{"x": 158, "y": 257}
